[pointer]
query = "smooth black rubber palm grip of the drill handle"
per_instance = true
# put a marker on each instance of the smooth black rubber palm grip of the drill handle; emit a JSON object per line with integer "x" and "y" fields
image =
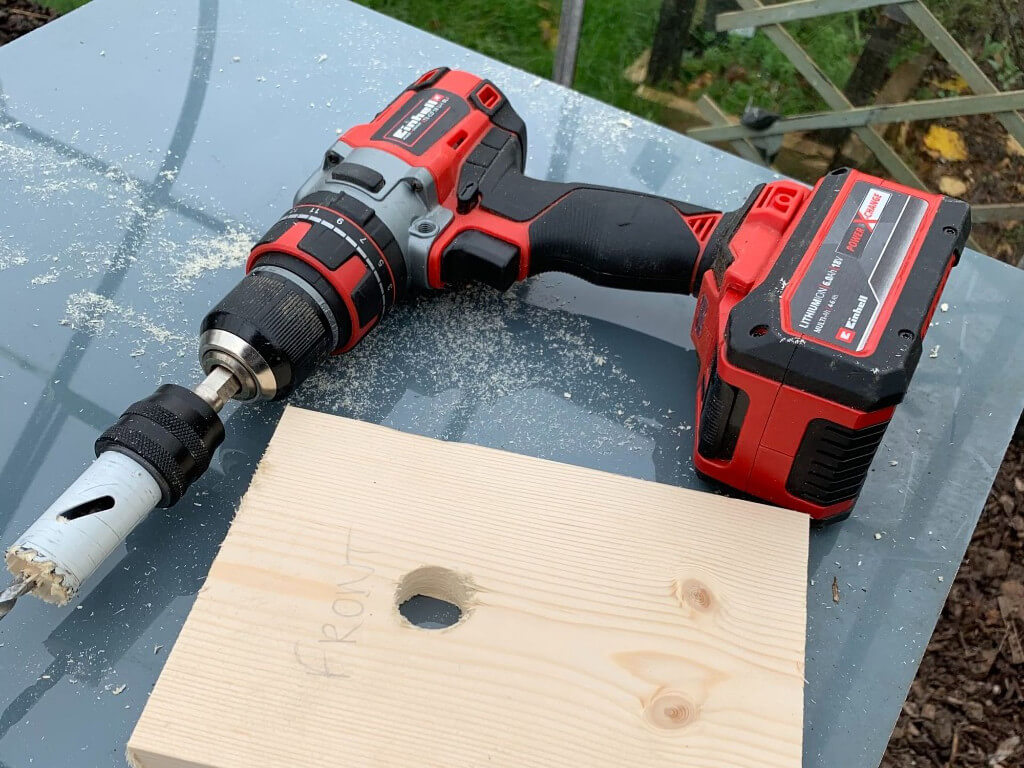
{"x": 615, "y": 238}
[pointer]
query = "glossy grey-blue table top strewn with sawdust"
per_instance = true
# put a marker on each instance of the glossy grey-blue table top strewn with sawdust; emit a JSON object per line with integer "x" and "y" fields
{"x": 143, "y": 147}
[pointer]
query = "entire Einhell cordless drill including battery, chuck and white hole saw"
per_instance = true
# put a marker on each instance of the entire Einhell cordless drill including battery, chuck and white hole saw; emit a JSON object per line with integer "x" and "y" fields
{"x": 812, "y": 308}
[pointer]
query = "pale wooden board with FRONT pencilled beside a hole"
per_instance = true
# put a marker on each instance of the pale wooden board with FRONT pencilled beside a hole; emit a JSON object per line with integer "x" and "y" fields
{"x": 608, "y": 622}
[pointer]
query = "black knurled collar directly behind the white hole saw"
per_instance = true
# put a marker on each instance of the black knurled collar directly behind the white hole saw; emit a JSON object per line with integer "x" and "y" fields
{"x": 174, "y": 434}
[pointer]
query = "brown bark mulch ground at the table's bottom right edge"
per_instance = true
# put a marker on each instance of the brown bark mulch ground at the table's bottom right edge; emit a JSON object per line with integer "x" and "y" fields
{"x": 966, "y": 708}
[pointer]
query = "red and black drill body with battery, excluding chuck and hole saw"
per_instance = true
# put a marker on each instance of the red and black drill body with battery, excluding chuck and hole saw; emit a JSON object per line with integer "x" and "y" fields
{"x": 813, "y": 304}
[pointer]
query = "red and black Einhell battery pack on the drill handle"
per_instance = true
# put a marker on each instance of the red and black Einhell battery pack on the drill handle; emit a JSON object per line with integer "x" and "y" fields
{"x": 809, "y": 327}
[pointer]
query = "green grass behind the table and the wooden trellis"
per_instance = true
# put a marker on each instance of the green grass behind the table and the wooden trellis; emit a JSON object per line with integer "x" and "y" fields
{"x": 732, "y": 71}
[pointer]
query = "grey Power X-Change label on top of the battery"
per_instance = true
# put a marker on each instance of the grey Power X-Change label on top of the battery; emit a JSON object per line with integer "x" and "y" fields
{"x": 839, "y": 300}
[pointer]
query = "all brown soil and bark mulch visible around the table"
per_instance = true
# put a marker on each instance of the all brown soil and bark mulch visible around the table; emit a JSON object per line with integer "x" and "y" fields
{"x": 966, "y": 708}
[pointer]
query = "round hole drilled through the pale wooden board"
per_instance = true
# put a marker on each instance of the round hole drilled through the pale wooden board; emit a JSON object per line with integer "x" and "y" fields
{"x": 434, "y": 599}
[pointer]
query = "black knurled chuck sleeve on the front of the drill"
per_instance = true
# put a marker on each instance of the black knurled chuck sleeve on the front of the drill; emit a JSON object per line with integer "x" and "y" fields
{"x": 285, "y": 324}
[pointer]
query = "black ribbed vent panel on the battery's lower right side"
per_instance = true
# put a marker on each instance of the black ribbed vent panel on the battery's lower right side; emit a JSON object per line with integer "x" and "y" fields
{"x": 833, "y": 461}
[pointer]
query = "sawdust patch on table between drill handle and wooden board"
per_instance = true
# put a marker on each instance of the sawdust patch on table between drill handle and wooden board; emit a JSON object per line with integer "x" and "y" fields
{"x": 487, "y": 345}
